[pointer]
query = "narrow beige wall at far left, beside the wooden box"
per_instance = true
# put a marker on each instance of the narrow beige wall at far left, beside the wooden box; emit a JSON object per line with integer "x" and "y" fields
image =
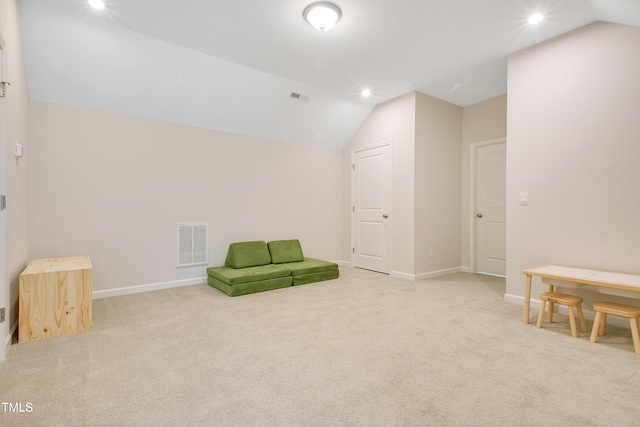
{"x": 17, "y": 131}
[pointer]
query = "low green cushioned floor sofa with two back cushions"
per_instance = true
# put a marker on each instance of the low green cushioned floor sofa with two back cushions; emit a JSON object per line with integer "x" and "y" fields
{"x": 259, "y": 266}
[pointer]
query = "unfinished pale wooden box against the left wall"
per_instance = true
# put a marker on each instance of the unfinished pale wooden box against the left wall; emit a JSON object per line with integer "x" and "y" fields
{"x": 55, "y": 298}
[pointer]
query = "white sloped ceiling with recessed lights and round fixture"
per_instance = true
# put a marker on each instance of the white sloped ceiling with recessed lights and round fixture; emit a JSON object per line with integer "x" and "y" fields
{"x": 231, "y": 65}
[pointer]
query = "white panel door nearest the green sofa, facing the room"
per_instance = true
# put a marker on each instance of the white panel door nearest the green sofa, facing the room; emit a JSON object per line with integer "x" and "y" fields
{"x": 371, "y": 203}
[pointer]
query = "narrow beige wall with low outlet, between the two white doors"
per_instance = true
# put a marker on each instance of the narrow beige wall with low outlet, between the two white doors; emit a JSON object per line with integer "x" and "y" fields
{"x": 437, "y": 186}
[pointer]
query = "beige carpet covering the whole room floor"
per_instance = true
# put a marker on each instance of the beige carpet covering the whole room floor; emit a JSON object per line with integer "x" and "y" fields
{"x": 362, "y": 350}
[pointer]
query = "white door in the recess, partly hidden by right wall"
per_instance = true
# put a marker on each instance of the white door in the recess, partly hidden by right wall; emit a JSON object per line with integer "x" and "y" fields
{"x": 490, "y": 220}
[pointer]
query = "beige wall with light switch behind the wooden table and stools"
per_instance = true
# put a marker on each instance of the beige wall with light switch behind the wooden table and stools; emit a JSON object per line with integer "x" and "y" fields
{"x": 574, "y": 145}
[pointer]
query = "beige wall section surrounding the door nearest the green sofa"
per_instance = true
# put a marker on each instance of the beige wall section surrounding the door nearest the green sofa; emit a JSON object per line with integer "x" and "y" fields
{"x": 394, "y": 121}
